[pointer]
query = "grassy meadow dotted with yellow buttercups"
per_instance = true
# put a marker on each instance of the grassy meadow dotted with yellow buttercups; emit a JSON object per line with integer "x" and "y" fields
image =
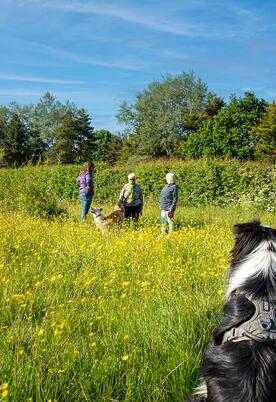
{"x": 121, "y": 317}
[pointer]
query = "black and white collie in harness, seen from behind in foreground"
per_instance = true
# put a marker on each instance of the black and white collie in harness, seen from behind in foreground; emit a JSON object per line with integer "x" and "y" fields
{"x": 240, "y": 364}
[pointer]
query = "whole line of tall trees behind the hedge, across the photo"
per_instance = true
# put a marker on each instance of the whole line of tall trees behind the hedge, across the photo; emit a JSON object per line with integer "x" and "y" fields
{"x": 174, "y": 117}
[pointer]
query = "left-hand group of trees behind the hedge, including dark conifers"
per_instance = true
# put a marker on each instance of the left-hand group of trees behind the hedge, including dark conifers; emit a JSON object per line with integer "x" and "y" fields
{"x": 59, "y": 133}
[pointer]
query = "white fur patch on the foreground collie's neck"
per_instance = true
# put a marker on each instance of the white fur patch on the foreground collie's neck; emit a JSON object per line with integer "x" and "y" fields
{"x": 261, "y": 261}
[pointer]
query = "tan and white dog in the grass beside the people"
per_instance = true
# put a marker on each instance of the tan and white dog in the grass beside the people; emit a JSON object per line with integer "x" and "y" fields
{"x": 113, "y": 220}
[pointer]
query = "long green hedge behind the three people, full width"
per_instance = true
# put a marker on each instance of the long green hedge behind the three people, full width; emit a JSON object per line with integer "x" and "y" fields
{"x": 42, "y": 189}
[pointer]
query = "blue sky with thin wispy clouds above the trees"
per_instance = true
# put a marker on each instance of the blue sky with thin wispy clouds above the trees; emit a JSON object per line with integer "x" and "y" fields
{"x": 100, "y": 53}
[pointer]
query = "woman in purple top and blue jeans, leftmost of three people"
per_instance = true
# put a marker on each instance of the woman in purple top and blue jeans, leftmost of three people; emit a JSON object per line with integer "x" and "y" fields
{"x": 86, "y": 185}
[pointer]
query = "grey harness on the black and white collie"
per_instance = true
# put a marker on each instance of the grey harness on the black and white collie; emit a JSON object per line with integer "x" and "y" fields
{"x": 260, "y": 327}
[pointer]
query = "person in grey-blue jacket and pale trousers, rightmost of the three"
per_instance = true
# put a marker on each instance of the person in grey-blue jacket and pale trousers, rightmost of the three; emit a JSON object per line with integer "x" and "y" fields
{"x": 167, "y": 203}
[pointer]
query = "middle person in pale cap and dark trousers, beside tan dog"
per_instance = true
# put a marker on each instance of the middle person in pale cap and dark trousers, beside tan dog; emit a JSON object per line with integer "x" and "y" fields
{"x": 132, "y": 198}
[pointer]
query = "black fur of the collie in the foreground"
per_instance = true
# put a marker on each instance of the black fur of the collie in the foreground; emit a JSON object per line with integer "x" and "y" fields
{"x": 243, "y": 371}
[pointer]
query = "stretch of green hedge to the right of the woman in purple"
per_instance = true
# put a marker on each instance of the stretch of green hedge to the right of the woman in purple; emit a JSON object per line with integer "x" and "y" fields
{"x": 201, "y": 182}
